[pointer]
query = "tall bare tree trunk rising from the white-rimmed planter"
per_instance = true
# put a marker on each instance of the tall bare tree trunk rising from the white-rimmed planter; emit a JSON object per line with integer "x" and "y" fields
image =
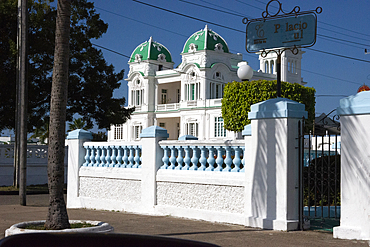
{"x": 57, "y": 217}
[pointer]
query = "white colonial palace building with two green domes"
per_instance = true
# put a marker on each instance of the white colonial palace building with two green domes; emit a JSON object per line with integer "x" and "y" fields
{"x": 186, "y": 100}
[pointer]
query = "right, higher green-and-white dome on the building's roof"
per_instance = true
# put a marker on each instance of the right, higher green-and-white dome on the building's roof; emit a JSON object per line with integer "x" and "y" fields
{"x": 205, "y": 39}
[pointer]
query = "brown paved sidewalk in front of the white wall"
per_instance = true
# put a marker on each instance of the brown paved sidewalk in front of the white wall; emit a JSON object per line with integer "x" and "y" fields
{"x": 221, "y": 234}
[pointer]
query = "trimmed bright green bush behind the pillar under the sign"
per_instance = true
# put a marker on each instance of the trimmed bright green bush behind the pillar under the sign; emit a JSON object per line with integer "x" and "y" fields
{"x": 239, "y": 96}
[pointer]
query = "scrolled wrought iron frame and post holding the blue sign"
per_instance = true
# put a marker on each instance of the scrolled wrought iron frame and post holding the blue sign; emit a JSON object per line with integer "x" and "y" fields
{"x": 266, "y": 15}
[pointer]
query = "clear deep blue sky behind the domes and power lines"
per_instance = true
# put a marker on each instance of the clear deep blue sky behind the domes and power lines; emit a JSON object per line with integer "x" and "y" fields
{"x": 342, "y": 29}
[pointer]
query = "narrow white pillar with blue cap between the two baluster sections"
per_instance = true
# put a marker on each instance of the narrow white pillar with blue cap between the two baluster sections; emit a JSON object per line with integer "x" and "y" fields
{"x": 152, "y": 155}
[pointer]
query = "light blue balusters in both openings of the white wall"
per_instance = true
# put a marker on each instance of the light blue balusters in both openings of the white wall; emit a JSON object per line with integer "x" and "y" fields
{"x": 174, "y": 158}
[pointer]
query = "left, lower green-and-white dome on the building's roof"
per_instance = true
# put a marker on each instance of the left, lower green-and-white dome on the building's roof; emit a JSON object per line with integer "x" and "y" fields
{"x": 151, "y": 50}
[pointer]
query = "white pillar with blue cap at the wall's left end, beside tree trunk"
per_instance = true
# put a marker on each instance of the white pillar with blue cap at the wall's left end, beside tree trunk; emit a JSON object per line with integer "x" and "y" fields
{"x": 76, "y": 157}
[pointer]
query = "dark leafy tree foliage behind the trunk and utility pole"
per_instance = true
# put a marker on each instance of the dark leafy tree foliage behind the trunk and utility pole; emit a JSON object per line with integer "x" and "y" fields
{"x": 91, "y": 80}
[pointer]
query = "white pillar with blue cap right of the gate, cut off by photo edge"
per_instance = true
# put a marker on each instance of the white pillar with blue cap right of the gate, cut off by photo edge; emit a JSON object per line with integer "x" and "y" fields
{"x": 354, "y": 114}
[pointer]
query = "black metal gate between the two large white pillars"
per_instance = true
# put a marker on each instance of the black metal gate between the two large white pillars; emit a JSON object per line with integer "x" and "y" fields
{"x": 319, "y": 173}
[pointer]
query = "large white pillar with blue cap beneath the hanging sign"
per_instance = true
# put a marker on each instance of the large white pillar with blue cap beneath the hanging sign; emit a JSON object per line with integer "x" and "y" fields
{"x": 271, "y": 168}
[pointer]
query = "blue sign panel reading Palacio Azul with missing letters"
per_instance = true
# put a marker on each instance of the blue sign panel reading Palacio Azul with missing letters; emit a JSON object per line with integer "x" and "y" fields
{"x": 281, "y": 32}
